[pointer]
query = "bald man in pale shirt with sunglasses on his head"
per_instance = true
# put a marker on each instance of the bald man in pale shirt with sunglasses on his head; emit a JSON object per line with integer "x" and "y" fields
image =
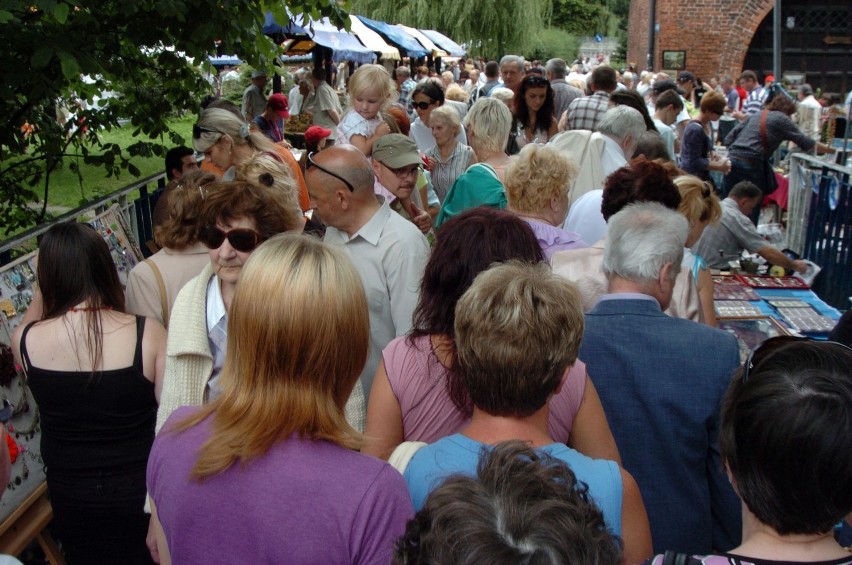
{"x": 388, "y": 251}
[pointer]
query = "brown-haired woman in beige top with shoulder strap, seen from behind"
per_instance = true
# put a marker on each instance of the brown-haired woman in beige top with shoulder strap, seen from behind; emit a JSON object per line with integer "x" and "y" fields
{"x": 153, "y": 285}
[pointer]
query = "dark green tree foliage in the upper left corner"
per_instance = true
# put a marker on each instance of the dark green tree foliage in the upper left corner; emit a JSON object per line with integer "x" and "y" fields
{"x": 60, "y": 53}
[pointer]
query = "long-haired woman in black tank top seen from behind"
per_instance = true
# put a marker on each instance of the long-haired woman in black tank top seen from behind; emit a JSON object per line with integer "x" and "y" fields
{"x": 93, "y": 371}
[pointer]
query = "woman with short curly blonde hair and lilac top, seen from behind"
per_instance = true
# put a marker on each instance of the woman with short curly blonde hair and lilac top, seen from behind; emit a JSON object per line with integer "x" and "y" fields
{"x": 537, "y": 185}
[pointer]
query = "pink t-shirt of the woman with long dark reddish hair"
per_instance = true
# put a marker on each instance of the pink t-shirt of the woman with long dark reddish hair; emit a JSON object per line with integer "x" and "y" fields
{"x": 419, "y": 382}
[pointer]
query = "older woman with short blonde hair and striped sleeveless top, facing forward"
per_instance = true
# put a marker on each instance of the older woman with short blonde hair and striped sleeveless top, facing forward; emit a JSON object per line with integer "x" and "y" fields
{"x": 448, "y": 158}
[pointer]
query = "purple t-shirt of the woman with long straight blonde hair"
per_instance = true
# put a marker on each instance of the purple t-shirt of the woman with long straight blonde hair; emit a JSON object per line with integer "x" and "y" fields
{"x": 303, "y": 502}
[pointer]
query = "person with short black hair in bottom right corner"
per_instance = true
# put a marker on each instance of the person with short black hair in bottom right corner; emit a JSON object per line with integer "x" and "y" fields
{"x": 786, "y": 444}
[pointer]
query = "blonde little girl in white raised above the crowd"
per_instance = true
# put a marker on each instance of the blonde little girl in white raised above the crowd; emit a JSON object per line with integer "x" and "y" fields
{"x": 371, "y": 90}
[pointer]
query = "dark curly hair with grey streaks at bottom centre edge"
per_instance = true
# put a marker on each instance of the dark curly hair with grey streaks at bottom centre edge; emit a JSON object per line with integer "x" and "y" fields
{"x": 523, "y": 506}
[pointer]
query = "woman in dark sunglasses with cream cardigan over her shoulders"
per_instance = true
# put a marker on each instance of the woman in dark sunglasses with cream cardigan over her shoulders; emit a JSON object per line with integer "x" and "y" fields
{"x": 235, "y": 218}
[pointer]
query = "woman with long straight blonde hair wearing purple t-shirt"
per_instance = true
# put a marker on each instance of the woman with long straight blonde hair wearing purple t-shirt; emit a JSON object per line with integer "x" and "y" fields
{"x": 274, "y": 449}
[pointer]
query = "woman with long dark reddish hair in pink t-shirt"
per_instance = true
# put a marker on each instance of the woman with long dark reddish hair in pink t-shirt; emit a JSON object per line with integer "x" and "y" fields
{"x": 417, "y": 394}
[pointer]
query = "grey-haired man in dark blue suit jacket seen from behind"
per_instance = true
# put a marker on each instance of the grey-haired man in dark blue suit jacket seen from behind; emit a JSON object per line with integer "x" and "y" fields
{"x": 661, "y": 381}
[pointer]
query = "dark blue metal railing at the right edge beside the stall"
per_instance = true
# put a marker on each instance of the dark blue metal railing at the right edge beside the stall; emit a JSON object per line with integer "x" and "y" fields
{"x": 819, "y": 225}
